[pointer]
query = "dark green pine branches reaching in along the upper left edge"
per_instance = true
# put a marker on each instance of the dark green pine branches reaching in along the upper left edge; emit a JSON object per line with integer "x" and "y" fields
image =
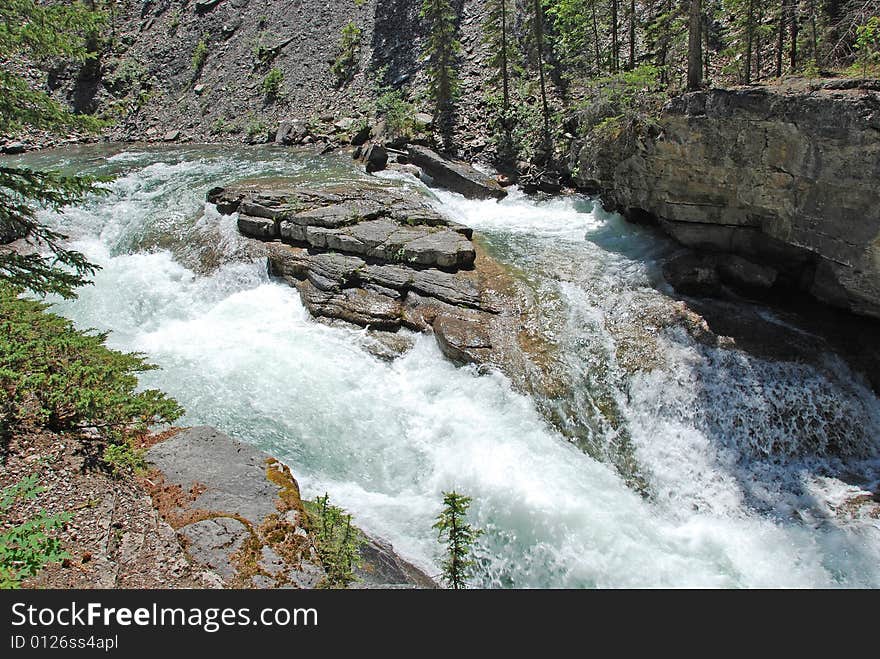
{"x": 34, "y": 32}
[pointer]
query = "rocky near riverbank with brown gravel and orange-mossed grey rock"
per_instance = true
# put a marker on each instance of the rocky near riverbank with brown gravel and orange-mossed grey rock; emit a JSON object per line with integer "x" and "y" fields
{"x": 211, "y": 512}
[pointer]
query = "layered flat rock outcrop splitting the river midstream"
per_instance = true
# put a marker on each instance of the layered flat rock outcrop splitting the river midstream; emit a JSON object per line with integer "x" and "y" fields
{"x": 383, "y": 259}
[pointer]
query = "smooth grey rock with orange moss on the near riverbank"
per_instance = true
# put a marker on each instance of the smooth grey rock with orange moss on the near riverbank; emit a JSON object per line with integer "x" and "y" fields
{"x": 238, "y": 513}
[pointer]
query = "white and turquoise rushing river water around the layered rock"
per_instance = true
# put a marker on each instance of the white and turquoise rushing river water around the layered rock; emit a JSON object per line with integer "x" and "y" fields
{"x": 738, "y": 490}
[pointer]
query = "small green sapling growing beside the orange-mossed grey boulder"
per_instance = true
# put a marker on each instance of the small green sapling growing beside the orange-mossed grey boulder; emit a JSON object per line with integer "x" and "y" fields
{"x": 337, "y": 541}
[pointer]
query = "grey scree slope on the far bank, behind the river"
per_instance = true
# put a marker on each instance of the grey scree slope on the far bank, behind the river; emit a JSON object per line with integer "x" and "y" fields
{"x": 193, "y": 70}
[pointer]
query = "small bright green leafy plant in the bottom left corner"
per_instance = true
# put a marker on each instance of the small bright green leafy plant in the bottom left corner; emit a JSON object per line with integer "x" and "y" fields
{"x": 26, "y": 548}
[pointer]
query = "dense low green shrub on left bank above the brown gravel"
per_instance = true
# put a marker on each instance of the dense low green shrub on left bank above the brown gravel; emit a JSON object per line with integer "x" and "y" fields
{"x": 54, "y": 376}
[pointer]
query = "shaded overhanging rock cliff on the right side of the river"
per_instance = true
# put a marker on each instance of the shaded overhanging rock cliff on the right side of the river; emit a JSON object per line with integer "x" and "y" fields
{"x": 785, "y": 178}
